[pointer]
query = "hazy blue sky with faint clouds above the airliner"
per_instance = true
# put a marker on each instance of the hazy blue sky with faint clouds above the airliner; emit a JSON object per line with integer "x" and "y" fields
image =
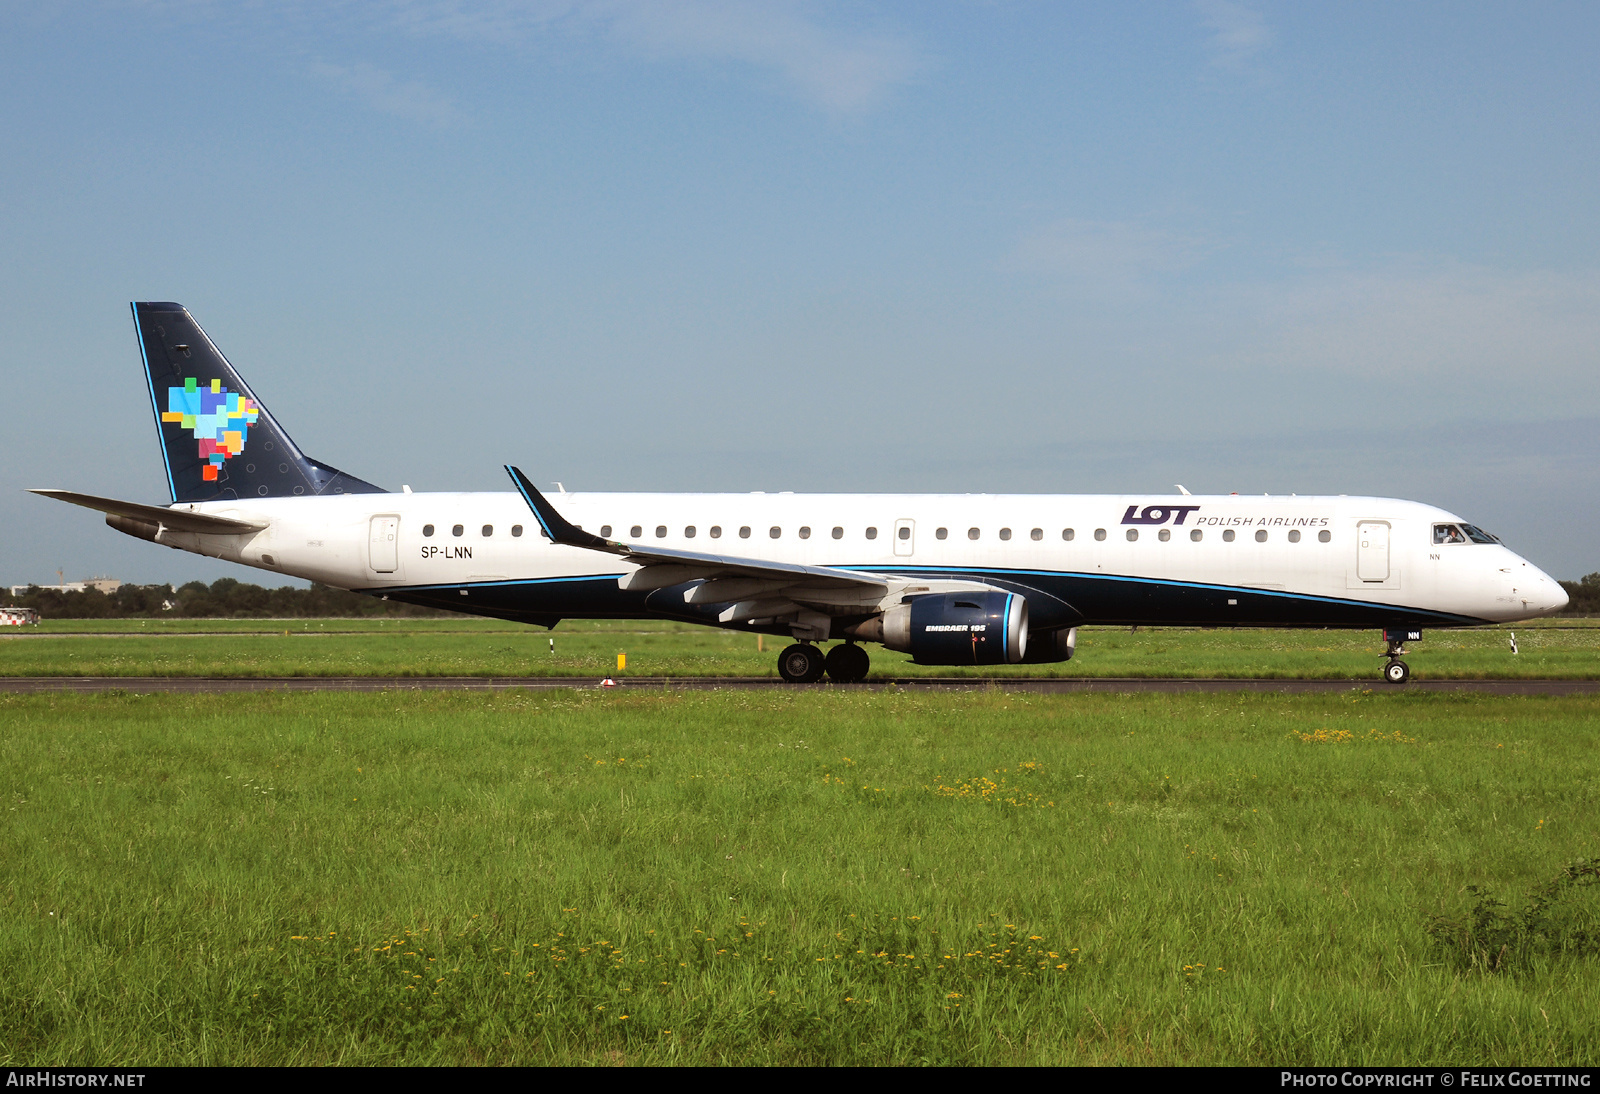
{"x": 818, "y": 247}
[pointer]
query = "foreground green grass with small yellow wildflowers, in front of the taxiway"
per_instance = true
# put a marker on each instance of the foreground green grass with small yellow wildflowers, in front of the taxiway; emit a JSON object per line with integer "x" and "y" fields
{"x": 798, "y": 877}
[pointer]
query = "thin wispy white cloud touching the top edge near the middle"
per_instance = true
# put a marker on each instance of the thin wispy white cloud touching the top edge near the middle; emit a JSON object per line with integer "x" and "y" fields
{"x": 838, "y": 68}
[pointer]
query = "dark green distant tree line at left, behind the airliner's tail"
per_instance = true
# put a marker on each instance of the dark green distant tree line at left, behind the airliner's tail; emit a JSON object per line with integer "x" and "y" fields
{"x": 225, "y": 599}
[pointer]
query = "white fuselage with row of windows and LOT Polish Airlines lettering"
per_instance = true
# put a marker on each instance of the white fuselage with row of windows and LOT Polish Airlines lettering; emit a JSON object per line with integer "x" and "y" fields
{"x": 1370, "y": 553}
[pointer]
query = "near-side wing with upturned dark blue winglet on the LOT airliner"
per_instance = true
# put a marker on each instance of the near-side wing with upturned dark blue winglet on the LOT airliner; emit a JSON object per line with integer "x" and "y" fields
{"x": 665, "y": 567}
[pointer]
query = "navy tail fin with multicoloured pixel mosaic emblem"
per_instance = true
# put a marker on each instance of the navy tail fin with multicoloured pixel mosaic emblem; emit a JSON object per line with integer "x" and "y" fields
{"x": 217, "y": 437}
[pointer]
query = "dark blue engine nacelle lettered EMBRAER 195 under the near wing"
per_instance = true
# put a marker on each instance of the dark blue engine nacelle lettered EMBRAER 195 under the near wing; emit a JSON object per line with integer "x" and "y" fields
{"x": 959, "y": 629}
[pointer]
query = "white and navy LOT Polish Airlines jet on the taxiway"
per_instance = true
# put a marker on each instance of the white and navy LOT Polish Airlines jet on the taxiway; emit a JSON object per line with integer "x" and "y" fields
{"x": 951, "y": 580}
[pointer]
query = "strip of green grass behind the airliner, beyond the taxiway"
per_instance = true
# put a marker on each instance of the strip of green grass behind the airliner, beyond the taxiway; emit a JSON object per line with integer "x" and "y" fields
{"x": 486, "y": 649}
